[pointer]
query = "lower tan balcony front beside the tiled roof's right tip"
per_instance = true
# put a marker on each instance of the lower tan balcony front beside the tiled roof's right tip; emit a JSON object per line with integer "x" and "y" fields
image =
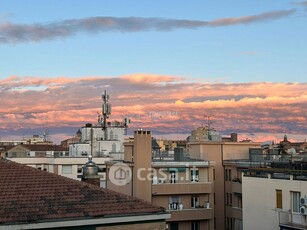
{"x": 191, "y": 214}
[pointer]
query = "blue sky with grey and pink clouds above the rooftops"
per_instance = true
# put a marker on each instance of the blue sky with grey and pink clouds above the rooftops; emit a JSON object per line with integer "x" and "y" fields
{"x": 167, "y": 65}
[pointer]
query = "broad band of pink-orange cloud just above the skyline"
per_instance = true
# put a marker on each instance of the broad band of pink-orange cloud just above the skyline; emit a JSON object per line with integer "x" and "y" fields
{"x": 164, "y": 104}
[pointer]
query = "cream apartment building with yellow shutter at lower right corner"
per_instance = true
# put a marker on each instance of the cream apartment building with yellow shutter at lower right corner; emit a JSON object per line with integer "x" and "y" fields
{"x": 275, "y": 197}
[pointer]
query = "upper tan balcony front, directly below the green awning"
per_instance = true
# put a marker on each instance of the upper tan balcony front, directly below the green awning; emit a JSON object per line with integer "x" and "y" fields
{"x": 182, "y": 188}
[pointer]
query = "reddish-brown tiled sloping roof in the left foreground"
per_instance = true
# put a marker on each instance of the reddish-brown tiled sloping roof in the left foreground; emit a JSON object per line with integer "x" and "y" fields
{"x": 29, "y": 195}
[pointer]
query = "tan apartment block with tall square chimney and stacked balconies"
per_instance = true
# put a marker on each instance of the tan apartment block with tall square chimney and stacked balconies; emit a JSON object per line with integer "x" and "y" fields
{"x": 183, "y": 186}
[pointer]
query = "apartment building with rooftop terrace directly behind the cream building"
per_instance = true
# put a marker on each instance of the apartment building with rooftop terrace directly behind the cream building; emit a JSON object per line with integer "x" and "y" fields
{"x": 267, "y": 155}
